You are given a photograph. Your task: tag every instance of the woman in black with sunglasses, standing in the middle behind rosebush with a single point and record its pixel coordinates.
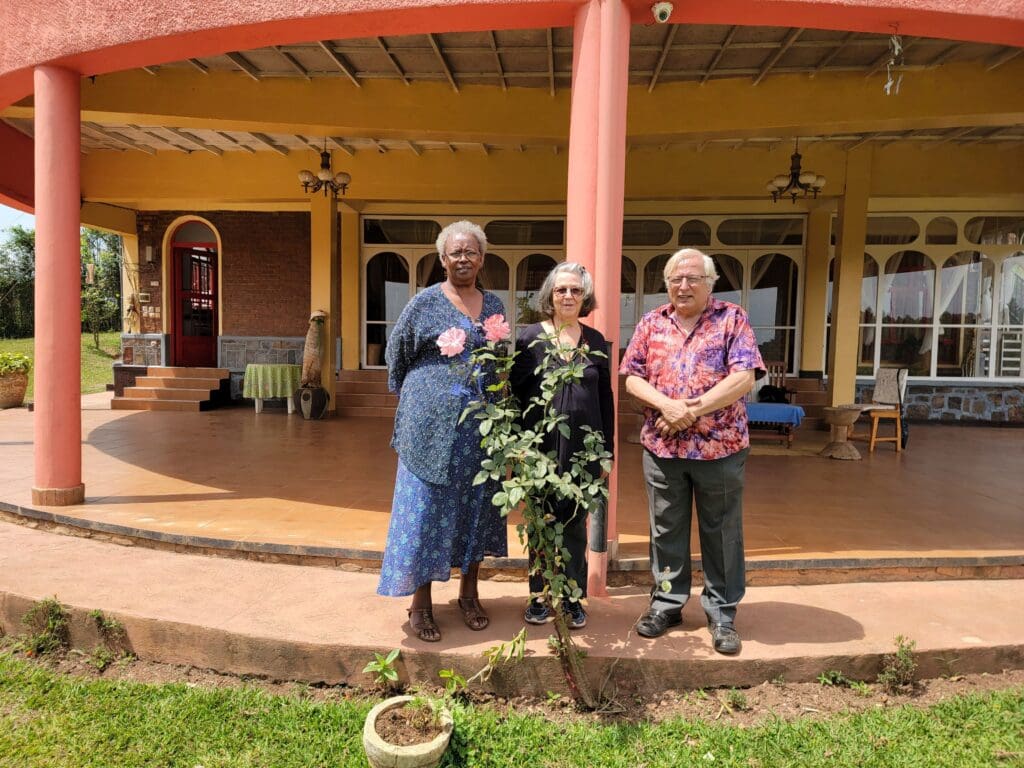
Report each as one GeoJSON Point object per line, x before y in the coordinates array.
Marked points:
{"type": "Point", "coordinates": [568, 295]}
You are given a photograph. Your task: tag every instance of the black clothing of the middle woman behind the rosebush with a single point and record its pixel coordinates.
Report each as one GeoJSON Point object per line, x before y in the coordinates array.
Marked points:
{"type": "Point", "coordinates": [588, 402]}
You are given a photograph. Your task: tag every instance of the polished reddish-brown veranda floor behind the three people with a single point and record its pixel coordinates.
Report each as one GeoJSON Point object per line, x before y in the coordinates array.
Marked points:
{"type": "Point", "coordinates": [234, 476]}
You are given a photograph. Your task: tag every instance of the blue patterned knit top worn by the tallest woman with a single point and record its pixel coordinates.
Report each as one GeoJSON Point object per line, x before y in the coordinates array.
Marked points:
{"type": "Point", "coordinates": [432, 391]}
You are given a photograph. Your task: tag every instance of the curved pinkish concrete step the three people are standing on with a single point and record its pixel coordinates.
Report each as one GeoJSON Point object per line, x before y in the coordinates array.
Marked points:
{"type": "Point", "coordinates": [316, 624]}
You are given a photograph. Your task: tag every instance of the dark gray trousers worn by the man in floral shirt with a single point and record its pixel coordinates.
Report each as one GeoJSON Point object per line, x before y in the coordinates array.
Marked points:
{"type": "Point", "coordinates": [717, 487]}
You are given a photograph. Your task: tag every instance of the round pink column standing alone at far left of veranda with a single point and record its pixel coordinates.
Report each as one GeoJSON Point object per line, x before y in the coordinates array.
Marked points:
{"type": "Point", "coordinates": [59, 351]}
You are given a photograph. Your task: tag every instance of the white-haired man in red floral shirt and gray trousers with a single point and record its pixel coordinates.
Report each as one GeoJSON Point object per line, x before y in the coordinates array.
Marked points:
{"type": "Point", "coordinates": [691, 363]}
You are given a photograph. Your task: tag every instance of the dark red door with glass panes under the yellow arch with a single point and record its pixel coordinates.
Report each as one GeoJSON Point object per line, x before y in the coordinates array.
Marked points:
{"type": "Point", "coordinates": [195, 280]}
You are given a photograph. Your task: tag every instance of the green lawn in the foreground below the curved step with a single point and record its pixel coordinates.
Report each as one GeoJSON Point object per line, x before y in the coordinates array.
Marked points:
{"type": "Point", "coordinates": [53, 720]}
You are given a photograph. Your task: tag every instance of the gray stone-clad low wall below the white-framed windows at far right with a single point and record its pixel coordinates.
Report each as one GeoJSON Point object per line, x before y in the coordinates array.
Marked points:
{"type": "Point", "coordinates": [961, 403]}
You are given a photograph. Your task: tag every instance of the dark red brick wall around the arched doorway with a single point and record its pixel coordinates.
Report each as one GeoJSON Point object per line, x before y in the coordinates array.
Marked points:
{"type": "Point", "coordinates": [266, 264]}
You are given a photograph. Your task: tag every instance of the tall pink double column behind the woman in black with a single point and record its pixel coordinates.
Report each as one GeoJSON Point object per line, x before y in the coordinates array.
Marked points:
{"type": "Point", "coordinates": [596, 185]}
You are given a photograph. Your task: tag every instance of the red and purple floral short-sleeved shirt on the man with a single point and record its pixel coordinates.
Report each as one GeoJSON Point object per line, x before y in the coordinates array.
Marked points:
{"type": "Point", "coordinates": [680, 366]}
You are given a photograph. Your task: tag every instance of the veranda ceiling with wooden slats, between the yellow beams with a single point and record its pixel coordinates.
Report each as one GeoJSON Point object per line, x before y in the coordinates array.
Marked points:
{"type": "Point", "coordinates": [660, 56]}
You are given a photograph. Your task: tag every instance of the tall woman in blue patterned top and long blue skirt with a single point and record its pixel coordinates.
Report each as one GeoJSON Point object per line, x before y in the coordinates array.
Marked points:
{"type": "Point", "coordinates": [440, 521]}
